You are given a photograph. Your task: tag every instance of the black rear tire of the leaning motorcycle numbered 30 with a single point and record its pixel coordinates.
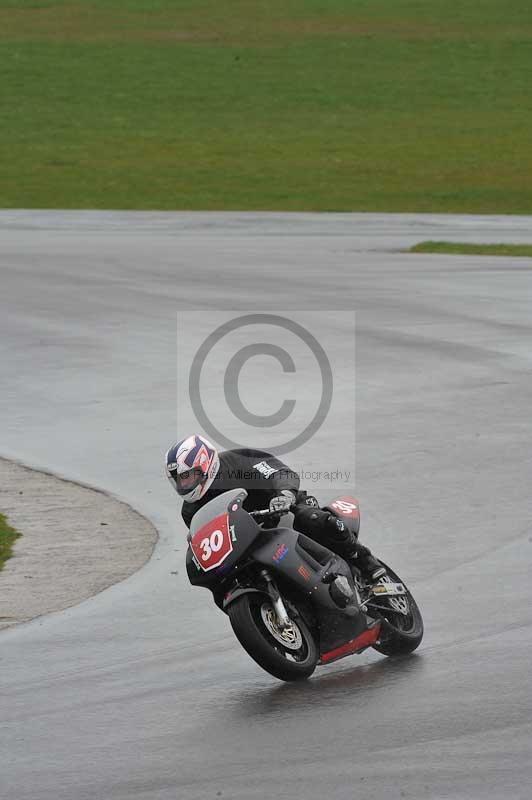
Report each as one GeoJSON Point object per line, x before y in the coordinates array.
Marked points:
{"type": "Point", "coordinates": [400, 634]}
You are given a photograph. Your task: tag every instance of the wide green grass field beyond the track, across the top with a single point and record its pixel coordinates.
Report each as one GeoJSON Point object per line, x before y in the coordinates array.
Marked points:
{"type": "Point", "coordinates": [377, 105]}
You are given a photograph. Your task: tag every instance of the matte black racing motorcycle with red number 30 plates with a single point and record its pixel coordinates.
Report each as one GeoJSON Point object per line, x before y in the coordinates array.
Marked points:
{"type": "Point", "coordinates": [292, 603]}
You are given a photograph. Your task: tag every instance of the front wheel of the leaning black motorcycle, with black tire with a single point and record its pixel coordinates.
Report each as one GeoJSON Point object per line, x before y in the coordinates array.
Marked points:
{"type": "Point", "coordinates": [289, 655]}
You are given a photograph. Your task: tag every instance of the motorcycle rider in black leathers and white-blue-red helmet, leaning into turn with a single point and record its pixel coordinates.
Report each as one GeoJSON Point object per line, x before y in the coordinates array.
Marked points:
{"type": "Point", "coordinates": [199, 473]}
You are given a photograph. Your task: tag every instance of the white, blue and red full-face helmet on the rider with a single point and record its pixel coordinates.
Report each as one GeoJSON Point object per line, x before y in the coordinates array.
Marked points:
{"type": "Point", "coordinates": [191, 466]}
